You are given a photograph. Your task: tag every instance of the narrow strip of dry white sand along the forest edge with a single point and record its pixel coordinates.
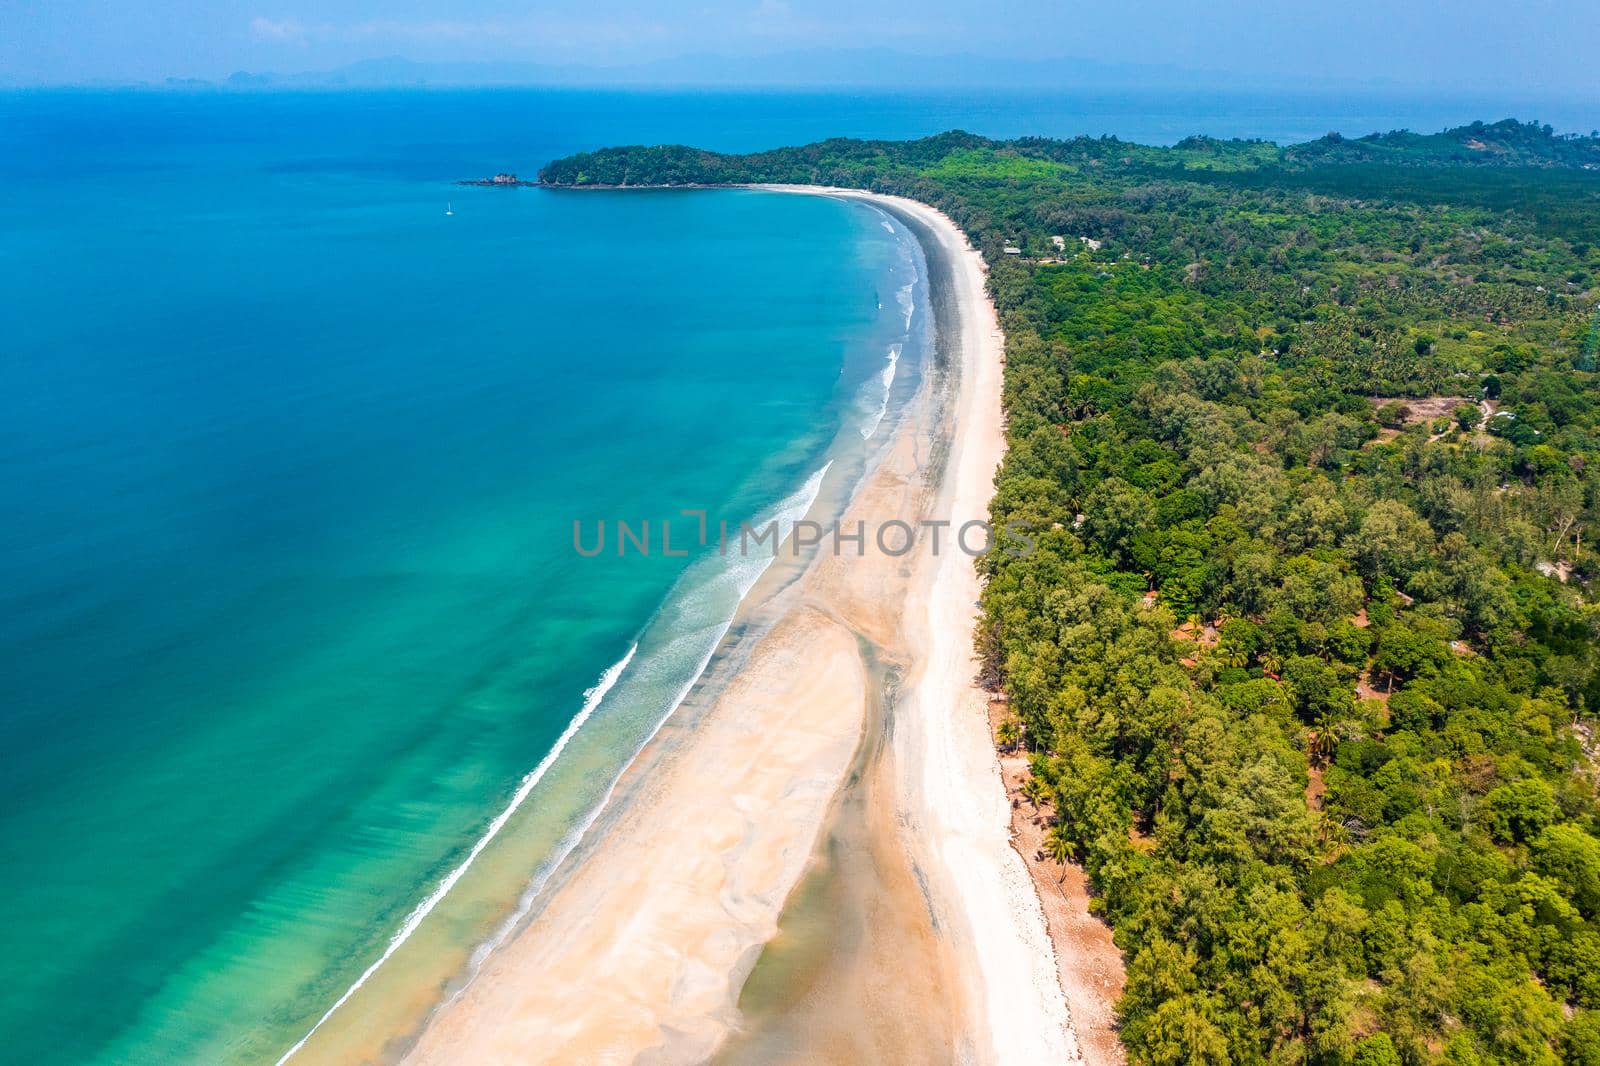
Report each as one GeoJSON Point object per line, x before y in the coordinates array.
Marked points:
{"type": "Point", "coordinates": [948, 766]}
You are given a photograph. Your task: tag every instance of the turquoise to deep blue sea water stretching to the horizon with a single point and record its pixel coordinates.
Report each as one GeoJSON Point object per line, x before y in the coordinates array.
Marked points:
{"type": "Point", "coordinates": [289, 467]}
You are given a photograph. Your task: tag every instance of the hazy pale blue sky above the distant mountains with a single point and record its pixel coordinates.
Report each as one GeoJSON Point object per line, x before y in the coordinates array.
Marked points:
{"type": "Point", "coordinates": [1502, 46]}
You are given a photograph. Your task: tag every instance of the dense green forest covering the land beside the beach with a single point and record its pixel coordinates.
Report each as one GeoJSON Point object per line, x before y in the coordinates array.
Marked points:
{"type": "Point", "coordinates": [1308, 654]}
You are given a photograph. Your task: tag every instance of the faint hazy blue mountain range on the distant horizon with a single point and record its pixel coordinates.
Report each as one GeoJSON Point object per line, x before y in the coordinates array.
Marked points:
{"type": "Point", "coordinates": [823, 68]}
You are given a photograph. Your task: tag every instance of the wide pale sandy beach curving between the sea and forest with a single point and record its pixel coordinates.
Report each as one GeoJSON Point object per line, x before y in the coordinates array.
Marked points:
{"type": "Point", "coordinates": [641, 953]}
